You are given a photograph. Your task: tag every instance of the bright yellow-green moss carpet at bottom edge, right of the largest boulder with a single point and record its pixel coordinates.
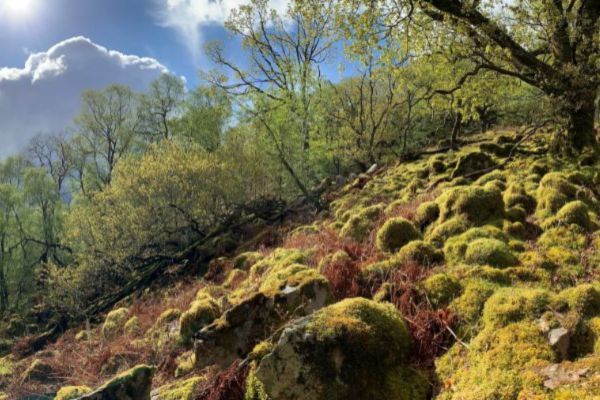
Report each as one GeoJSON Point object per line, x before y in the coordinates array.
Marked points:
{"type": "Point", "coordinates": [497, 364]}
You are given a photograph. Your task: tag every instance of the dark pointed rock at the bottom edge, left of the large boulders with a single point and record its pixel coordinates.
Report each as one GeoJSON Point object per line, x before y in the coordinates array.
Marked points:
{"type": "Point", "coordinates": [134, 384]}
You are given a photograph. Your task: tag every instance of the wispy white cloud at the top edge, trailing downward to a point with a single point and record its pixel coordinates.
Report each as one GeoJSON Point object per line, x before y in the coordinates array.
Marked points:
{"type": "Point", "coordinates": [187, 17]}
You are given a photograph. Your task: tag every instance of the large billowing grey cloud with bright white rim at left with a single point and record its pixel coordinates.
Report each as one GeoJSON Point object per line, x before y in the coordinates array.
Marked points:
{"type": "Point", "coordinates": [43, 96]}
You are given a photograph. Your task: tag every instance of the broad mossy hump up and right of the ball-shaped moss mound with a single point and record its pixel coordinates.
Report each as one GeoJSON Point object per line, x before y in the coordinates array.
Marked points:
{"type": "Point", "coordinates": [476, 204]}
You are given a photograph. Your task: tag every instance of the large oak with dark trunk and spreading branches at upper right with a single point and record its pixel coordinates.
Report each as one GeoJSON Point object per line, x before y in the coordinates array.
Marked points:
{"type": "Point", "coordinates": [550, 44]}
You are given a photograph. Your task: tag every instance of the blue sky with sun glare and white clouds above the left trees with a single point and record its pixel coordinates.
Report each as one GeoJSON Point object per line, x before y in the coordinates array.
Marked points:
{"type": "Point", "coordinates": [52, 50]}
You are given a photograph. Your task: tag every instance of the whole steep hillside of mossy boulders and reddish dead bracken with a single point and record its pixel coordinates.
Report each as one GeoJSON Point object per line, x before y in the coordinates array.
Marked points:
{"type": "Point", "coordinates": [470, 274]}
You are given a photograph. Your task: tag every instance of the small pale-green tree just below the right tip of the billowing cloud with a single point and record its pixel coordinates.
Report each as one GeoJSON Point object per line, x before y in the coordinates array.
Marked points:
{"type": "Point", "coordinates": [160, 105]}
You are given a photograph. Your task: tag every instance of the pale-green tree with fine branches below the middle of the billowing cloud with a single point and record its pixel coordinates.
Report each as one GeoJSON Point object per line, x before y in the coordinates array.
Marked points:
{"type": "Point", "coordinates": [107, 124]}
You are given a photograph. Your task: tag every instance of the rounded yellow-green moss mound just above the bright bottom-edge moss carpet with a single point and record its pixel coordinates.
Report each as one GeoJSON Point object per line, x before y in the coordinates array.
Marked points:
{"type": "Point", "coordinates": [509, 305]}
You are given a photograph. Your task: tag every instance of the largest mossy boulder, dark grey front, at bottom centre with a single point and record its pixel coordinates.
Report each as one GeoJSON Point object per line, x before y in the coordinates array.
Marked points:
{"type": "Point", "coordinates": [356, 348]}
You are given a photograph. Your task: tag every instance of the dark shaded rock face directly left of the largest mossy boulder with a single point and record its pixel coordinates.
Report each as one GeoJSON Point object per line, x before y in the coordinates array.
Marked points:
{"type": "Point", "coordinates": [235, 334]}
